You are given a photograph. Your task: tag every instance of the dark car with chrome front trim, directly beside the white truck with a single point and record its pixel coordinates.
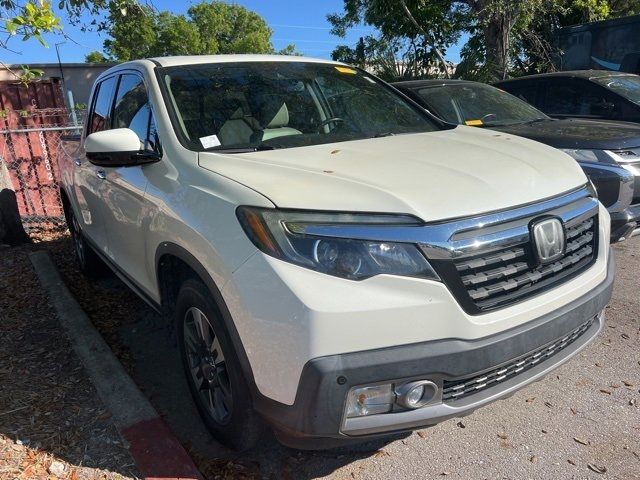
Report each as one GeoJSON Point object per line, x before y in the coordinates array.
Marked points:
{"type": "Point", "coordinates": [598, 146]}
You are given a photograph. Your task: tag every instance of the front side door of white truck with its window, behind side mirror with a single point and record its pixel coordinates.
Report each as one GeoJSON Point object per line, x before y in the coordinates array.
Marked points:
{"type": "Point", "coordinates": [127, 213]}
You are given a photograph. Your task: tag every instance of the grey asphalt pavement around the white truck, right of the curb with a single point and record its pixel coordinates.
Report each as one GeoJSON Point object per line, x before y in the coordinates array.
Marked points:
{"type": "Point", "coordinates": [583, 421]}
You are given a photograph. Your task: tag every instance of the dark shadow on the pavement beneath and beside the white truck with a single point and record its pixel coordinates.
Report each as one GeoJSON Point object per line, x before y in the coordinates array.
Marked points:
{"type": "Point", "coordinates": [147, 348]}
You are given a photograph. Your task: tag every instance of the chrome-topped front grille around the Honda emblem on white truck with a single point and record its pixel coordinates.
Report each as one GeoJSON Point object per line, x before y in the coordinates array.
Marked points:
{"type": "Point", "coordinates": [494, 265]}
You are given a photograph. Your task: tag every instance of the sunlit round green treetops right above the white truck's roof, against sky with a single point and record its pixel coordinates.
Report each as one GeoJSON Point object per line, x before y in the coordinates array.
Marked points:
{"type": "Point", "coordinates": [208, 28]}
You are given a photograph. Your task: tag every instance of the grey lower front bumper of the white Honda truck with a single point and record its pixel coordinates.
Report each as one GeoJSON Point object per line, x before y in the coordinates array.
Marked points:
{"type": "Point", "coordinates": [316, 419]}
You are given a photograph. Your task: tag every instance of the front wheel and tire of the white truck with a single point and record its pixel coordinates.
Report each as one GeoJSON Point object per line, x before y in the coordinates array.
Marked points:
{"type": "Point", "coordinates": [224, 400]}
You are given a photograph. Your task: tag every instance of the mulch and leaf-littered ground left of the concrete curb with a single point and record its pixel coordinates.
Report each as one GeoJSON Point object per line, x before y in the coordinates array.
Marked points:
{"type": "Point", "coordinates": [52, 424]}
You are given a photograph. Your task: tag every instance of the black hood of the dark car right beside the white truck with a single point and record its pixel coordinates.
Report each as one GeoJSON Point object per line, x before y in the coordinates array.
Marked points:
{"type": "Point", "coordinates": [579, 134]}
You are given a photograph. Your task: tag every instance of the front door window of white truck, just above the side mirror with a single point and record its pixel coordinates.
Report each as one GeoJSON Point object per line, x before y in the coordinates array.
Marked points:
{"type": "Point", "coordinates": [132, 110]}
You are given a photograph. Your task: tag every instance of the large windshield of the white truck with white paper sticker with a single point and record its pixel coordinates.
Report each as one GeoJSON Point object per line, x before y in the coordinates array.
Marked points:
{"type": "Point", "coordinates": [263, 105]}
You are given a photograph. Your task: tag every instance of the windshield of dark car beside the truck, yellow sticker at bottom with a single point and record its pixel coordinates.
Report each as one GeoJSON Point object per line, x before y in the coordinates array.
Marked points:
{"type": "Point", "coordinates": [478, 105]}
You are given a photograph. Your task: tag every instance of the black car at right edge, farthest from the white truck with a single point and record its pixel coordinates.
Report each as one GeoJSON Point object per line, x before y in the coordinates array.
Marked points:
{"type": "Point", "coordinates": [591, 94]}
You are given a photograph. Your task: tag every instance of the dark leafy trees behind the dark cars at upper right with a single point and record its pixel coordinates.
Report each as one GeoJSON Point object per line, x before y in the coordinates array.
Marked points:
{"type": "Point", "coordinates": [506, 37]}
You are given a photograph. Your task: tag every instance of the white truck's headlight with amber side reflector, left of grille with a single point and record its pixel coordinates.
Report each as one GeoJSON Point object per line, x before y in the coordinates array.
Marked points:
{"type": "Point", "coordinates": [282, 234]}
